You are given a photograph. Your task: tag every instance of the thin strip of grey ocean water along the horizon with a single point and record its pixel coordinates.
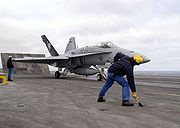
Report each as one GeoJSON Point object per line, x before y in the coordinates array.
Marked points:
{"type": "Point", "coordinates": [158, 73]}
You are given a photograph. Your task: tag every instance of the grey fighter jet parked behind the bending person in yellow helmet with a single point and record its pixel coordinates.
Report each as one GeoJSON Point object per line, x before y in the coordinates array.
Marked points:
{"type": "Point", "coordinates": [81, 61]}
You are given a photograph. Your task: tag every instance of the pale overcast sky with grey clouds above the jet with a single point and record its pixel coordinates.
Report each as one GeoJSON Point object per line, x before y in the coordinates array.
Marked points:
{"type": "Point", "coordinates": [150, 27]}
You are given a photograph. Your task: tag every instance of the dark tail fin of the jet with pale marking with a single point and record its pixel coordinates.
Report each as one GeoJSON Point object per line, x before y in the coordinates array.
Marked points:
{"type": "Point", "coordinates": [51, 49]}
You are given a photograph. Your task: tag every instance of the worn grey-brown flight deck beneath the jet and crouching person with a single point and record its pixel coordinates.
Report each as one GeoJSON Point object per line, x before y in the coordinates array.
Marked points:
{"type": "Point", "coordinates": [71, 102]}
